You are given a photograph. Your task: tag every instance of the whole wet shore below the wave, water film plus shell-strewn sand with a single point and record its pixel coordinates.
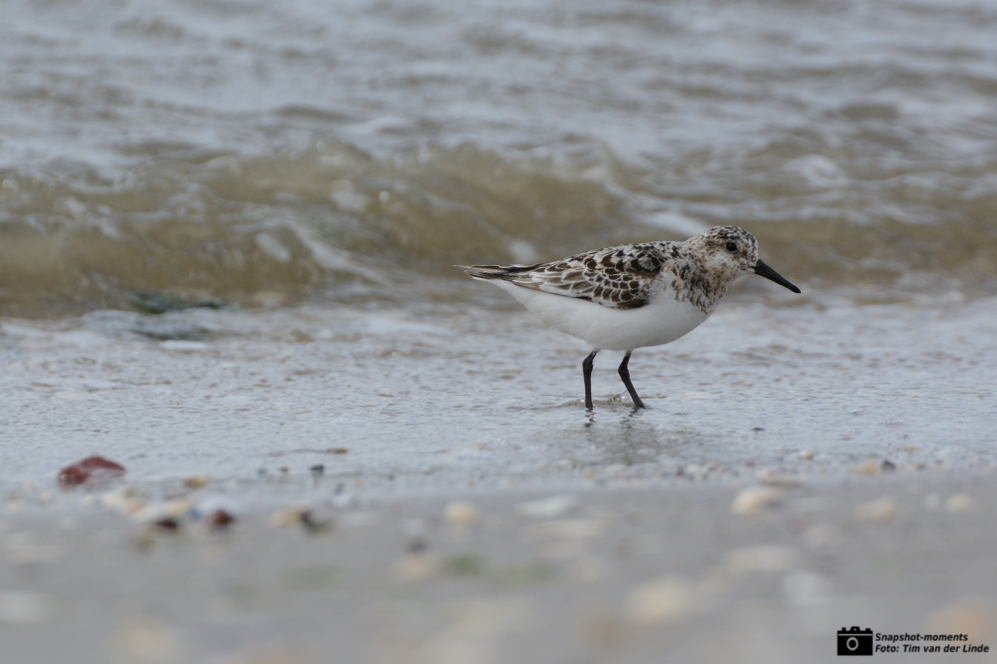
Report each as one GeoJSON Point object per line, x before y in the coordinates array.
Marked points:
{"type": "Point", "coordinates": [861, 436]}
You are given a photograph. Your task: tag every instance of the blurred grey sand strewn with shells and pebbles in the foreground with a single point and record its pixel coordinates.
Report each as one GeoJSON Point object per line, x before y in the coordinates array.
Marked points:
{"type": "Point", "coordinates": [677, 571]}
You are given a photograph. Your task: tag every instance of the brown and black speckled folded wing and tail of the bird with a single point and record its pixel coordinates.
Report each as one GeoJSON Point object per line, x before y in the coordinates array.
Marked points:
{"type": "Point", "coordinates": [616, 277]}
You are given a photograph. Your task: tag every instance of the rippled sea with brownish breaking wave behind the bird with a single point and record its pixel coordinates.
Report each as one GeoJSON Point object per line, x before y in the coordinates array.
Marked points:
{"type": "Point", "coordinates": [263, 152]}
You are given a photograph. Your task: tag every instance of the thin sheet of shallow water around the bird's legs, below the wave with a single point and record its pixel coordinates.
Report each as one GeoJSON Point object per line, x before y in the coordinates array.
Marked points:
{"type": "Point", "coordinates": [447, 399]}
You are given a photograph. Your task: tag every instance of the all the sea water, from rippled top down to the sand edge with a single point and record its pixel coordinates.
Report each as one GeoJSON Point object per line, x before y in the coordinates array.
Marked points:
{"type": "Point", "coordinates": [227, 232]}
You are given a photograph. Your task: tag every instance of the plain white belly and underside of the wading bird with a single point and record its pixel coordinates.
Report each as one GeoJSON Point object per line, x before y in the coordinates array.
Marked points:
{"type": "Point", "coordinates": [663, 320]}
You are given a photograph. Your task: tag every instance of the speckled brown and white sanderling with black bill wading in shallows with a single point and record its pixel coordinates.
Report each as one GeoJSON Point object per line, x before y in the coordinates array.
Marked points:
{"type": "Point", "coordinates": [633, 295]}
